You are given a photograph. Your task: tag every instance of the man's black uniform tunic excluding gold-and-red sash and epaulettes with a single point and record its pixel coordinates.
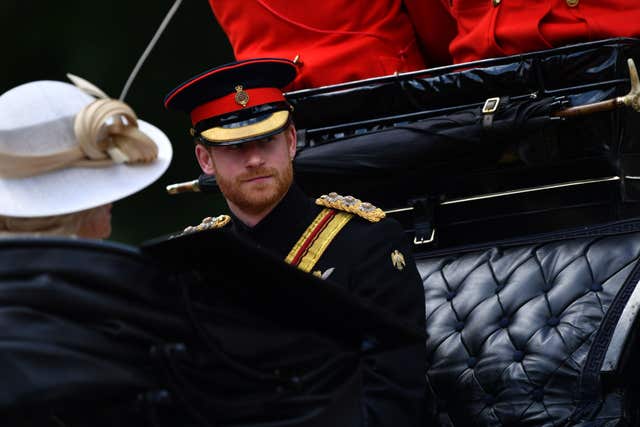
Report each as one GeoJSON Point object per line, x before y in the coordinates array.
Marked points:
{"type": "Point", "coordinates": [372, 261]}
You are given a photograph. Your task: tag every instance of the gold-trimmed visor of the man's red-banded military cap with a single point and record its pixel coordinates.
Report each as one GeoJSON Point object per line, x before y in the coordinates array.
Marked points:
{"type": "Point", "coordinates": [274, 123]}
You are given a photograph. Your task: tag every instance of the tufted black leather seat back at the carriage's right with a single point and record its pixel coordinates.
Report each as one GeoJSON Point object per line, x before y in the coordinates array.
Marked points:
{"type": "Point", "coordinates": [517, 332]}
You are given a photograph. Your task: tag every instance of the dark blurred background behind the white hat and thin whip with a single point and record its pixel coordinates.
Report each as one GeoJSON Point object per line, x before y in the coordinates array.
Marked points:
{"type": "Point", "coordinates": [101, 42]}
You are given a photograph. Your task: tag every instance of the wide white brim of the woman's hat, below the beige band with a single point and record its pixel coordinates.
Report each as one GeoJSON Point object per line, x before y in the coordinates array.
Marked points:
{"type": "Point", "coordinates": [78, 188]}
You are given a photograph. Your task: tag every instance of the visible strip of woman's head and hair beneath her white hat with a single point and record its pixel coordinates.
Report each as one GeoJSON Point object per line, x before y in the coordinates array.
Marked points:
{"type": "Point", "coordinates": [57, 225]}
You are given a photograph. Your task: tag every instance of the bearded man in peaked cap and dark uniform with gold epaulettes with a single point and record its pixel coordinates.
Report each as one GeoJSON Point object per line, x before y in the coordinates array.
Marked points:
{"type": "Point", "coordinates": [246, 138]}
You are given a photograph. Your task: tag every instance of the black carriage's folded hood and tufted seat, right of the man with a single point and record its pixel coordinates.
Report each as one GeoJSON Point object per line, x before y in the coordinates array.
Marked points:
{"type": "Point", "coordinates": [523, 211]}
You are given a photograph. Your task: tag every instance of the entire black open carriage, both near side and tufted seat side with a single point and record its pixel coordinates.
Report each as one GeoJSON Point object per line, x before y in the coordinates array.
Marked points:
{"type": "Point", "coordinates": [521, 198]}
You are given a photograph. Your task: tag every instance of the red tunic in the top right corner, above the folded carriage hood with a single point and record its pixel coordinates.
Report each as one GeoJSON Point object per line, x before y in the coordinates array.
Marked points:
{"type": "Point", "coordinates": [494, 28]}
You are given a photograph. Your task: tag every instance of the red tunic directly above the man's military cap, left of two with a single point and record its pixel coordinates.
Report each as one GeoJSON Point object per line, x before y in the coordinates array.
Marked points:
{"type": "Point", "coordinates": [336, 40]}
